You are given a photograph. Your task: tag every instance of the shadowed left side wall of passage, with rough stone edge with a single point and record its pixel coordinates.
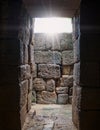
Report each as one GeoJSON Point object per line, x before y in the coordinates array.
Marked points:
{"type": "Point", "coordinates": [15, 64]}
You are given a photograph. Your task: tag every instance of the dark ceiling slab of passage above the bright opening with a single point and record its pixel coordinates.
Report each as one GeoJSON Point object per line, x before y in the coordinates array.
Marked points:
{"type": "Point", "coordinates": [45, 8]}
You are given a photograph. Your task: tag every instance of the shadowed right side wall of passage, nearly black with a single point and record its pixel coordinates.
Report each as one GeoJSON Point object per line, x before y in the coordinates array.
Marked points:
{"type": "Point", "coordinates": [86, 91]}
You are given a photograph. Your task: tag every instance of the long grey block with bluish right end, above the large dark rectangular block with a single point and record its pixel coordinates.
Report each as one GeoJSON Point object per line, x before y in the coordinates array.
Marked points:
{"type": "Point", "coordinates": [50, 57]}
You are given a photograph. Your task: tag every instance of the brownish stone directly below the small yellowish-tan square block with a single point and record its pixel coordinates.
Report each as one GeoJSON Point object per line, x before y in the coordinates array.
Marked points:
{"type": "Point", "coordinates": [66, 81]}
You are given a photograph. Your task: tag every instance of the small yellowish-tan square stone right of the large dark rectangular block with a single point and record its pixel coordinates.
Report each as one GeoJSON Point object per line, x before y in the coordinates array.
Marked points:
{"type": "Point", "coordinates": [67, 70]}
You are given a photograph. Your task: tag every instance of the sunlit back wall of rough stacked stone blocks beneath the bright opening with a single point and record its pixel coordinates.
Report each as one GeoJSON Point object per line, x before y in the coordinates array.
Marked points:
{"type": "Point", "coordinates": [53, 79]}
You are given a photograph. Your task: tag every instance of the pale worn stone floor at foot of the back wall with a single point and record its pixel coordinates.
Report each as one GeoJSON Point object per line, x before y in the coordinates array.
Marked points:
{"type": "Point", "coordinates": [49, 117]}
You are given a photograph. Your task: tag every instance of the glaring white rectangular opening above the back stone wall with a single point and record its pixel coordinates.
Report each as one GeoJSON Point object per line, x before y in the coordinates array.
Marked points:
{"type": "Point", "coordinates": [52, 25]}
